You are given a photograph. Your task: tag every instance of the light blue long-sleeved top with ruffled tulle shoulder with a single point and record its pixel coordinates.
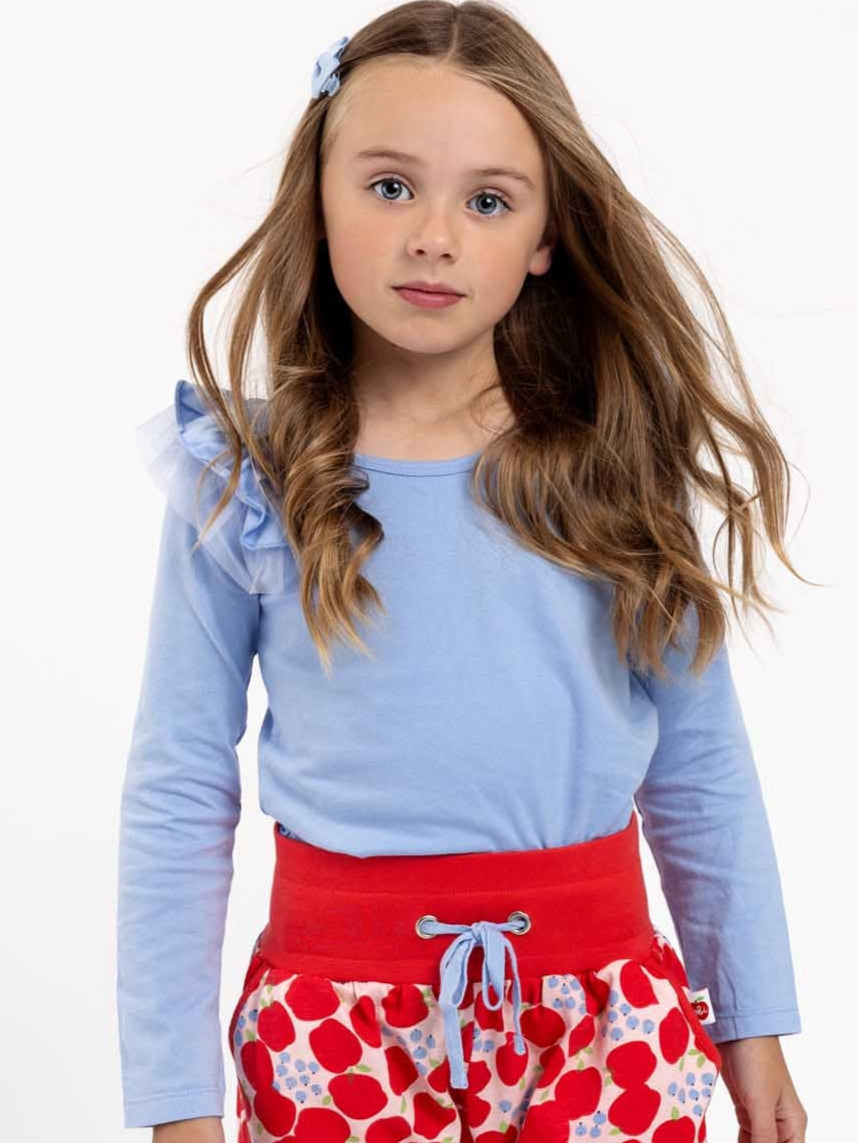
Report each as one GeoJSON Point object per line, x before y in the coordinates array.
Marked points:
{"type": "Point", "coordinates": [496, 715]}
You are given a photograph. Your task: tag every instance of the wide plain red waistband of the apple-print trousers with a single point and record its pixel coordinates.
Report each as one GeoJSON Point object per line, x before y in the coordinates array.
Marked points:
{"type": "Point", "coordinates": [354, 918]}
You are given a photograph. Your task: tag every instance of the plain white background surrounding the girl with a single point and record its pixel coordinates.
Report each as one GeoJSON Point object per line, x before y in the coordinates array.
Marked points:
{"type": "Point", "coordinates": [142, 145]}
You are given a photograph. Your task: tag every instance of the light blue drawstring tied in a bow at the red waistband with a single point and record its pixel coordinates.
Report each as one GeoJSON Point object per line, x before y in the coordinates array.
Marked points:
{"type": "Point", "coordinates": [454, 981]}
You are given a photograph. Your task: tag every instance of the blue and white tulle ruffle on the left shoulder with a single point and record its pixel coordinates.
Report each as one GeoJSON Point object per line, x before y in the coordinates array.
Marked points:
{"type": "Point", "coordinates": [247, 540]}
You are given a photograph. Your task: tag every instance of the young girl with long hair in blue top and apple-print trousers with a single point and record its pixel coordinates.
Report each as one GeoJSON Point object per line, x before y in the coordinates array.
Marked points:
{"type": "Point", "coordinates": [486, 404]}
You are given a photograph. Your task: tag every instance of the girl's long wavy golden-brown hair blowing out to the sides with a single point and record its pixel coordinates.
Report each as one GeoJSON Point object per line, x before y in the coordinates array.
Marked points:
{"type": "Point", "coordinates": [602, 359]}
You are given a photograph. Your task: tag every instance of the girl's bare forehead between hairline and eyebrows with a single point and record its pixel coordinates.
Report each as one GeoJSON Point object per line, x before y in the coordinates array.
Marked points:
{"type": "Point", "coordinates": [431, 111]}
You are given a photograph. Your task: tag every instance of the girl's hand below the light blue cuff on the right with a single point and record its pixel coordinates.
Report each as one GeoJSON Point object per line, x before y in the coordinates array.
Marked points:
{"type": "Point", "coordinates": [757, 1077]}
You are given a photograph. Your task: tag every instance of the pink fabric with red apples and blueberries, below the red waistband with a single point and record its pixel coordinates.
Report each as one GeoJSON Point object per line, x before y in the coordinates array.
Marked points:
{"type": "Point", "coordinates": [615, 1054]}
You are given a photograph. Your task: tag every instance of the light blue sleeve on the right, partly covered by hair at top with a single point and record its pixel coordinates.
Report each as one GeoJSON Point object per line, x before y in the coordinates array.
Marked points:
{"type": "Point", "coordinates": [704, 819]}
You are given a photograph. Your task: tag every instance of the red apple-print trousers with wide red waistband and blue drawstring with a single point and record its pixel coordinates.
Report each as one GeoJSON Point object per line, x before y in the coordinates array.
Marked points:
{"type": "Point", "coordinates": [364, 1016]}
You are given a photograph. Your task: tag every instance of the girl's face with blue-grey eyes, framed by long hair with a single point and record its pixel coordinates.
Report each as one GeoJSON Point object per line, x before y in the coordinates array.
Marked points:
{"type": "Point", "coordinates": [439, 210]}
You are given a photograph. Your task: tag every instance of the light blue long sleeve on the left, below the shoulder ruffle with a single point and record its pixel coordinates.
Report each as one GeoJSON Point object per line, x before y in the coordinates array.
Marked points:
{"type": "Point", "coordinates": [181, 804]}
